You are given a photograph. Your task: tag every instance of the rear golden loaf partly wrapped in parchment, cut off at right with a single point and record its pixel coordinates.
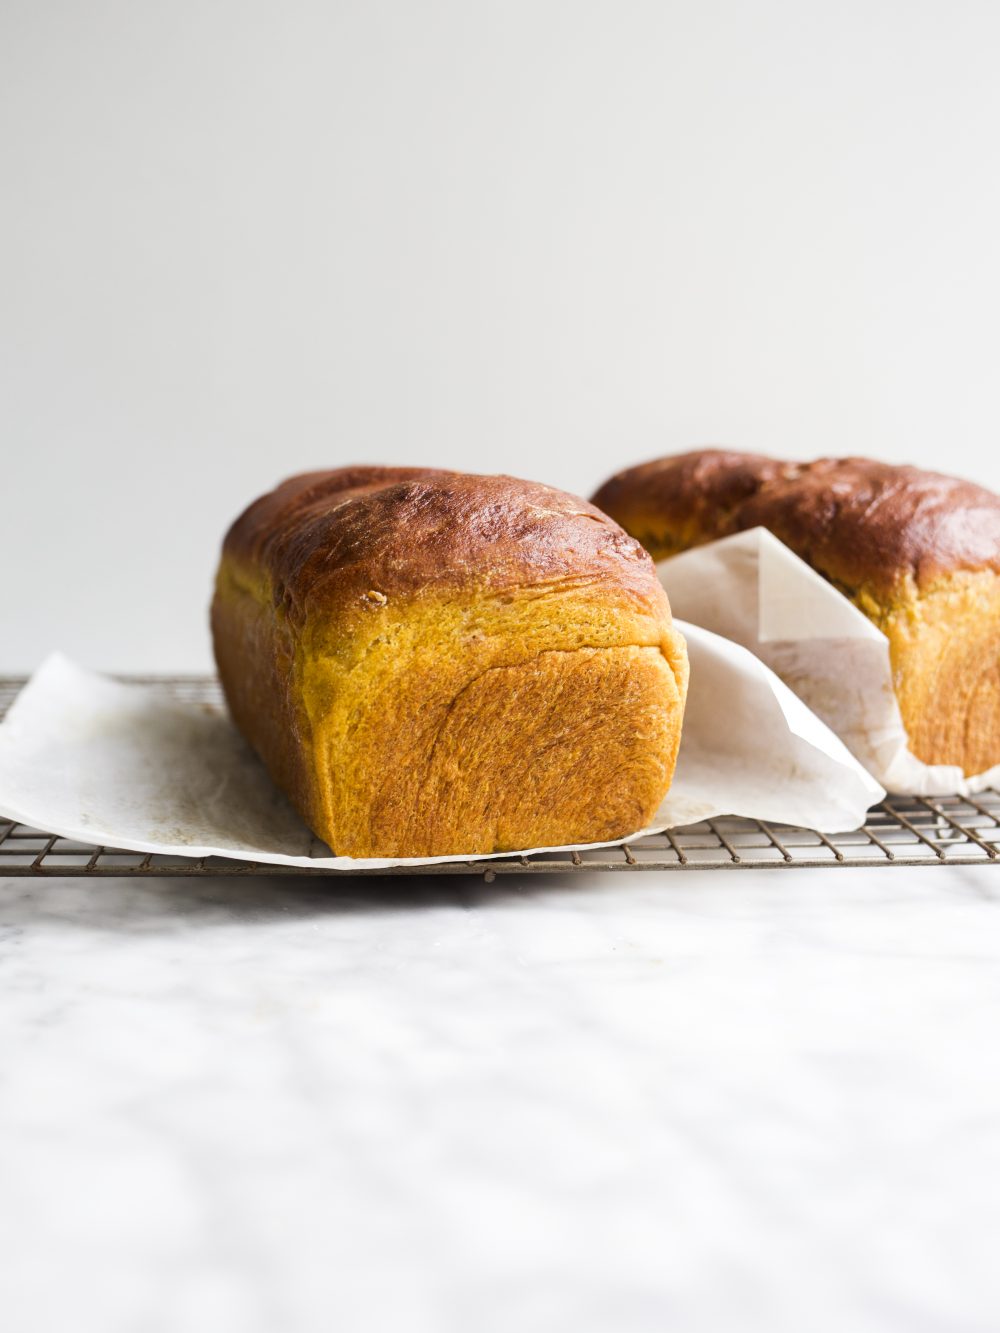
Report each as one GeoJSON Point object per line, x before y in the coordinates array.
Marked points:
{"type": "Point", "coordinates": [918, 553]}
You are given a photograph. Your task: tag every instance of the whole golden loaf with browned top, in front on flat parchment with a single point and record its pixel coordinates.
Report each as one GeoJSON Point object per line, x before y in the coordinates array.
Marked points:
{"type": "Point", "coordinates": [434, 663]}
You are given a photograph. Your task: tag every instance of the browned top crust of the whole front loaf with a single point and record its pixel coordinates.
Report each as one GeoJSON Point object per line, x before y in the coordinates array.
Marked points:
{"type": "Point", "coordinates": [403, 531]}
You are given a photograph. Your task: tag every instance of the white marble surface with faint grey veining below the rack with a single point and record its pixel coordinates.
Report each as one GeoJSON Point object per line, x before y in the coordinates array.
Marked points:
{"type": "Point", "coordinates": [625, 1103]}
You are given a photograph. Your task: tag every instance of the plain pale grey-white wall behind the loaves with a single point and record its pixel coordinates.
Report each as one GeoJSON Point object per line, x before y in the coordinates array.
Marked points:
{"type": "Point", "coordinates": [245, 239]}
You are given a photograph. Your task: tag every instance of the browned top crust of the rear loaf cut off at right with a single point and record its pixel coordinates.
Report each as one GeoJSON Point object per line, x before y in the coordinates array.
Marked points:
{"type": "Point", "coordinates": [858, 522]}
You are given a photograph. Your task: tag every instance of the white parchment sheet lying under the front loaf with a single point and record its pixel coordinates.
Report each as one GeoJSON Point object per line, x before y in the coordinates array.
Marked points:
{"type": "Point", "coordinates": [122, 766]}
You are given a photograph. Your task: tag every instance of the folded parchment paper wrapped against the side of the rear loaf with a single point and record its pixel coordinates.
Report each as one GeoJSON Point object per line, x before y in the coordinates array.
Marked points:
{"type": "Point", "coordinates": [753, 590]}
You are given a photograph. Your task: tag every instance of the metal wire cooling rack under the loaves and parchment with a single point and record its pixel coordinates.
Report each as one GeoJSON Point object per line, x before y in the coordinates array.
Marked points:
{"type": "Point", "coordinates": [901, 831]}
